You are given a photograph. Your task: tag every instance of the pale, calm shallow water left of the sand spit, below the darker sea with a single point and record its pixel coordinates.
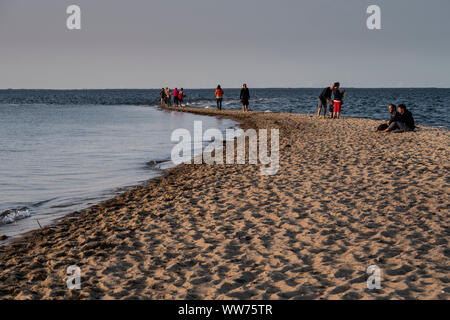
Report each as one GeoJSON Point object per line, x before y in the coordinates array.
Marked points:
{"type": "Point", "coordinates": [56, 159]}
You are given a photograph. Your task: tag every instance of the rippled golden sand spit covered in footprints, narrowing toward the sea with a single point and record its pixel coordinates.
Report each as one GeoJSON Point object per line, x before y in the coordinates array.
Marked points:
{"type": "Point", "coordinates": [344, 198]}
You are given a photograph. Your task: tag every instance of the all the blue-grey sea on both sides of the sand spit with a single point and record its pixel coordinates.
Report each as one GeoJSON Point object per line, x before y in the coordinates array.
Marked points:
{"type": "Point", "coordinates": [61, 151]}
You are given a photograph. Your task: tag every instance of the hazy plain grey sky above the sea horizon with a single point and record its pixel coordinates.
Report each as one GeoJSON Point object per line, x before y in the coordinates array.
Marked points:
{"type": "Point", "coordinates": [200, 43]}
